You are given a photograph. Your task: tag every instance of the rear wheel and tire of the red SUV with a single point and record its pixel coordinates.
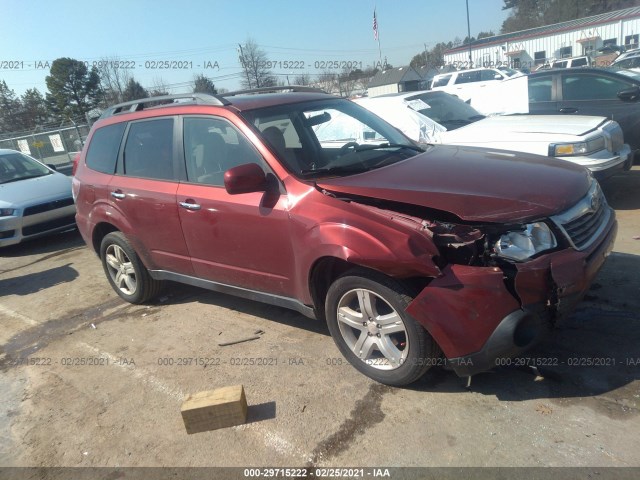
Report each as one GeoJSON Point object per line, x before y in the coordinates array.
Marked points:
{"type": "Point", "coordinates": [125, 271]}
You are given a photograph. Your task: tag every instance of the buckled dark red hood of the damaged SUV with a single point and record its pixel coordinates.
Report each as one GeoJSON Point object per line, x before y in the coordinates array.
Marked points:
{"type": "Point", "coordinates": [475, 184]}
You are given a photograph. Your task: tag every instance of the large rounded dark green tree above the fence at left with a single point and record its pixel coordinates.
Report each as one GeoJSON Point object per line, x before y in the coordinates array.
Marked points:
{"type": "Point", "coordinates": [73, 88]}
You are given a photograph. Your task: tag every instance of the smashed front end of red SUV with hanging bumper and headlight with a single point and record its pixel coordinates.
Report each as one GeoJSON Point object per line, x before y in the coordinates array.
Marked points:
{"type": "Point", "coordinates": [502, 286]}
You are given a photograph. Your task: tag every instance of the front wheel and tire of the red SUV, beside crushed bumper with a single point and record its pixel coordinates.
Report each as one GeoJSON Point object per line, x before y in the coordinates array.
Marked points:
{"type": "Point", "coordinates": [367, 320]}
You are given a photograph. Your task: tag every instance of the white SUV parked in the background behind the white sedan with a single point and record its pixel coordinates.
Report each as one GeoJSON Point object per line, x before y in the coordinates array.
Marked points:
{"type": "Point", "coordinates": [465, 83]}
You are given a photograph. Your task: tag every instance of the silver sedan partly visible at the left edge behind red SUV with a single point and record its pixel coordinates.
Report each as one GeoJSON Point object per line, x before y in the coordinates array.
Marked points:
{"type": "Point", "coordinates": [35, 200]}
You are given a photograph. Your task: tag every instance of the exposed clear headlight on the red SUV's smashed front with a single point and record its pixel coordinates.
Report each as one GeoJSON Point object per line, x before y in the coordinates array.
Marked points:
{"type": "Point", "coordinates": [523, 244]}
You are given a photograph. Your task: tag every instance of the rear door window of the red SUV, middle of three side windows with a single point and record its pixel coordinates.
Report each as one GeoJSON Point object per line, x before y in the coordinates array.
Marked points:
{"type": "Point", "coordinates": [148, 152]}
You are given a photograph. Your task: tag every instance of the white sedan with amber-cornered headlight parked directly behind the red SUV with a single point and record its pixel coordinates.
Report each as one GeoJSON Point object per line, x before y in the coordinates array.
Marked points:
{"type": "Point", "coordinates": [593, 142]}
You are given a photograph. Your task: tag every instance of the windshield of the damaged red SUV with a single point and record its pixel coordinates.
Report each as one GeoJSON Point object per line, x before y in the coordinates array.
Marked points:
{"type": "Point", "coordinates": [330, 138]}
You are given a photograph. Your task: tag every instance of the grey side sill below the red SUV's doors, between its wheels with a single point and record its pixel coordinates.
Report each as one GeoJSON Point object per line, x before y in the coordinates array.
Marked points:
{"type": "Point", "coordinates": [285, 302]}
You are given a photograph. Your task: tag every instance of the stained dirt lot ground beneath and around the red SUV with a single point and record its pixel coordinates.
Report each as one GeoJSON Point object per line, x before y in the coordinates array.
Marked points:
{"type": "Point", "coordinates": [307, 406]}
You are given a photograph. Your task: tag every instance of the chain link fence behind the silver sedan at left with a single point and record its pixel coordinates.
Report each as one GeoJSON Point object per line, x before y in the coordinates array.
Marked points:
{"type": "Point", "coordinates": [55, 146]}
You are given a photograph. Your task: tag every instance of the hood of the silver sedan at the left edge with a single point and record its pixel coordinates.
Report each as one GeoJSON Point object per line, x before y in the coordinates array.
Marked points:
{"type": "Point", "coordinates": [31, 190]}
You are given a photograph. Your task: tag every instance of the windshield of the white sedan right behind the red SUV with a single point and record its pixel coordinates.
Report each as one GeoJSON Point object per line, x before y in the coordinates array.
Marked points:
{"type": "Point", "coordinates": [443, 108]}
